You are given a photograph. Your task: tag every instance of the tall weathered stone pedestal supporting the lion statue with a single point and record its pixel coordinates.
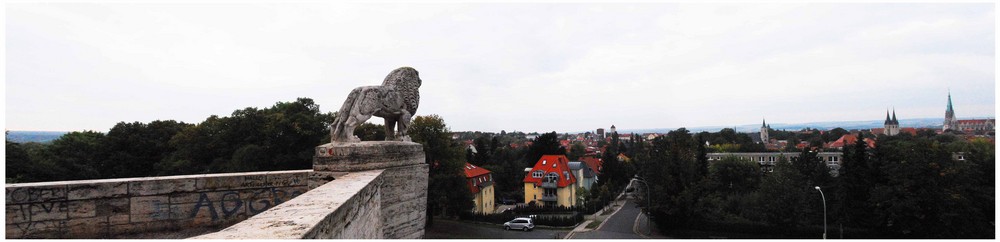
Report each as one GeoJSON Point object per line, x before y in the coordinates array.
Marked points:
{"type": "Point", "coordinates": [404, 187]}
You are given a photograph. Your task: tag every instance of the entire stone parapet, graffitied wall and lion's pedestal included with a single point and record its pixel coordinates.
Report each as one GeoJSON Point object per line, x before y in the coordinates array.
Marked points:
{"type": "Point", "coordinates": [366, 190]}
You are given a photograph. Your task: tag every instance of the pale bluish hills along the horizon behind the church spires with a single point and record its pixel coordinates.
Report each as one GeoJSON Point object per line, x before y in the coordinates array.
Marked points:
{"type": "Point", "coordinates": [848, 125]}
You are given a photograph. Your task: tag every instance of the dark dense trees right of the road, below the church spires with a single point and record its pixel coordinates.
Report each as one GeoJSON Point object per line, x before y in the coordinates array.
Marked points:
{"type": "Point", "coordinates": [905, 187]}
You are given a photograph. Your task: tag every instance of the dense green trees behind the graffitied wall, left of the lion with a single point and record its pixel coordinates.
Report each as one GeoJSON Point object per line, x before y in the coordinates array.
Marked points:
{"type": "Point", "coordinates": [280, 137]}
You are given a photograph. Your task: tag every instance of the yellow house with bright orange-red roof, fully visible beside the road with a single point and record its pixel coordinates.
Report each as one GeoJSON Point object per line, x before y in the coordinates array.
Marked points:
{"type": "Point", "coordinates": [550, 182]}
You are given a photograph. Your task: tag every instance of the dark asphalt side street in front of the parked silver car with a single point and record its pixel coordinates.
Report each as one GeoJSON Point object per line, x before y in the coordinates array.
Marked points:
{"type": "Point", "coordinates": [449, 229]}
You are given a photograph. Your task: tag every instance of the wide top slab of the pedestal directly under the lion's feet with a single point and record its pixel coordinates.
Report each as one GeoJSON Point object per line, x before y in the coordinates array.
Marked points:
{"type": "Point", "coordinates": [368, 155]}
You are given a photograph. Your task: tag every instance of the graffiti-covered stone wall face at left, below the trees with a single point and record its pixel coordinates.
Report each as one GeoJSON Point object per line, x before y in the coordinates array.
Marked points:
{"type": "Point", "coordinates": [110, 207]}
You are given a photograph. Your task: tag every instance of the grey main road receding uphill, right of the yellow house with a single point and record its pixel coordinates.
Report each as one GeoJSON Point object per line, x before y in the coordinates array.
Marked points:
{"type": "Point", "coordinates": [618, 226]}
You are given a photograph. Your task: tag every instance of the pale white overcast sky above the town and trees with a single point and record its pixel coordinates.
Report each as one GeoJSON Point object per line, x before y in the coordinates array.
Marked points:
{"type": "Point", "coordinates": [529, 67]}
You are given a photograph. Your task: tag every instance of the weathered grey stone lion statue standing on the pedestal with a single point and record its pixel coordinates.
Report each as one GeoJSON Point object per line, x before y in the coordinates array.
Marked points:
{"type": "Point", "coordinates": [396, 101]}
